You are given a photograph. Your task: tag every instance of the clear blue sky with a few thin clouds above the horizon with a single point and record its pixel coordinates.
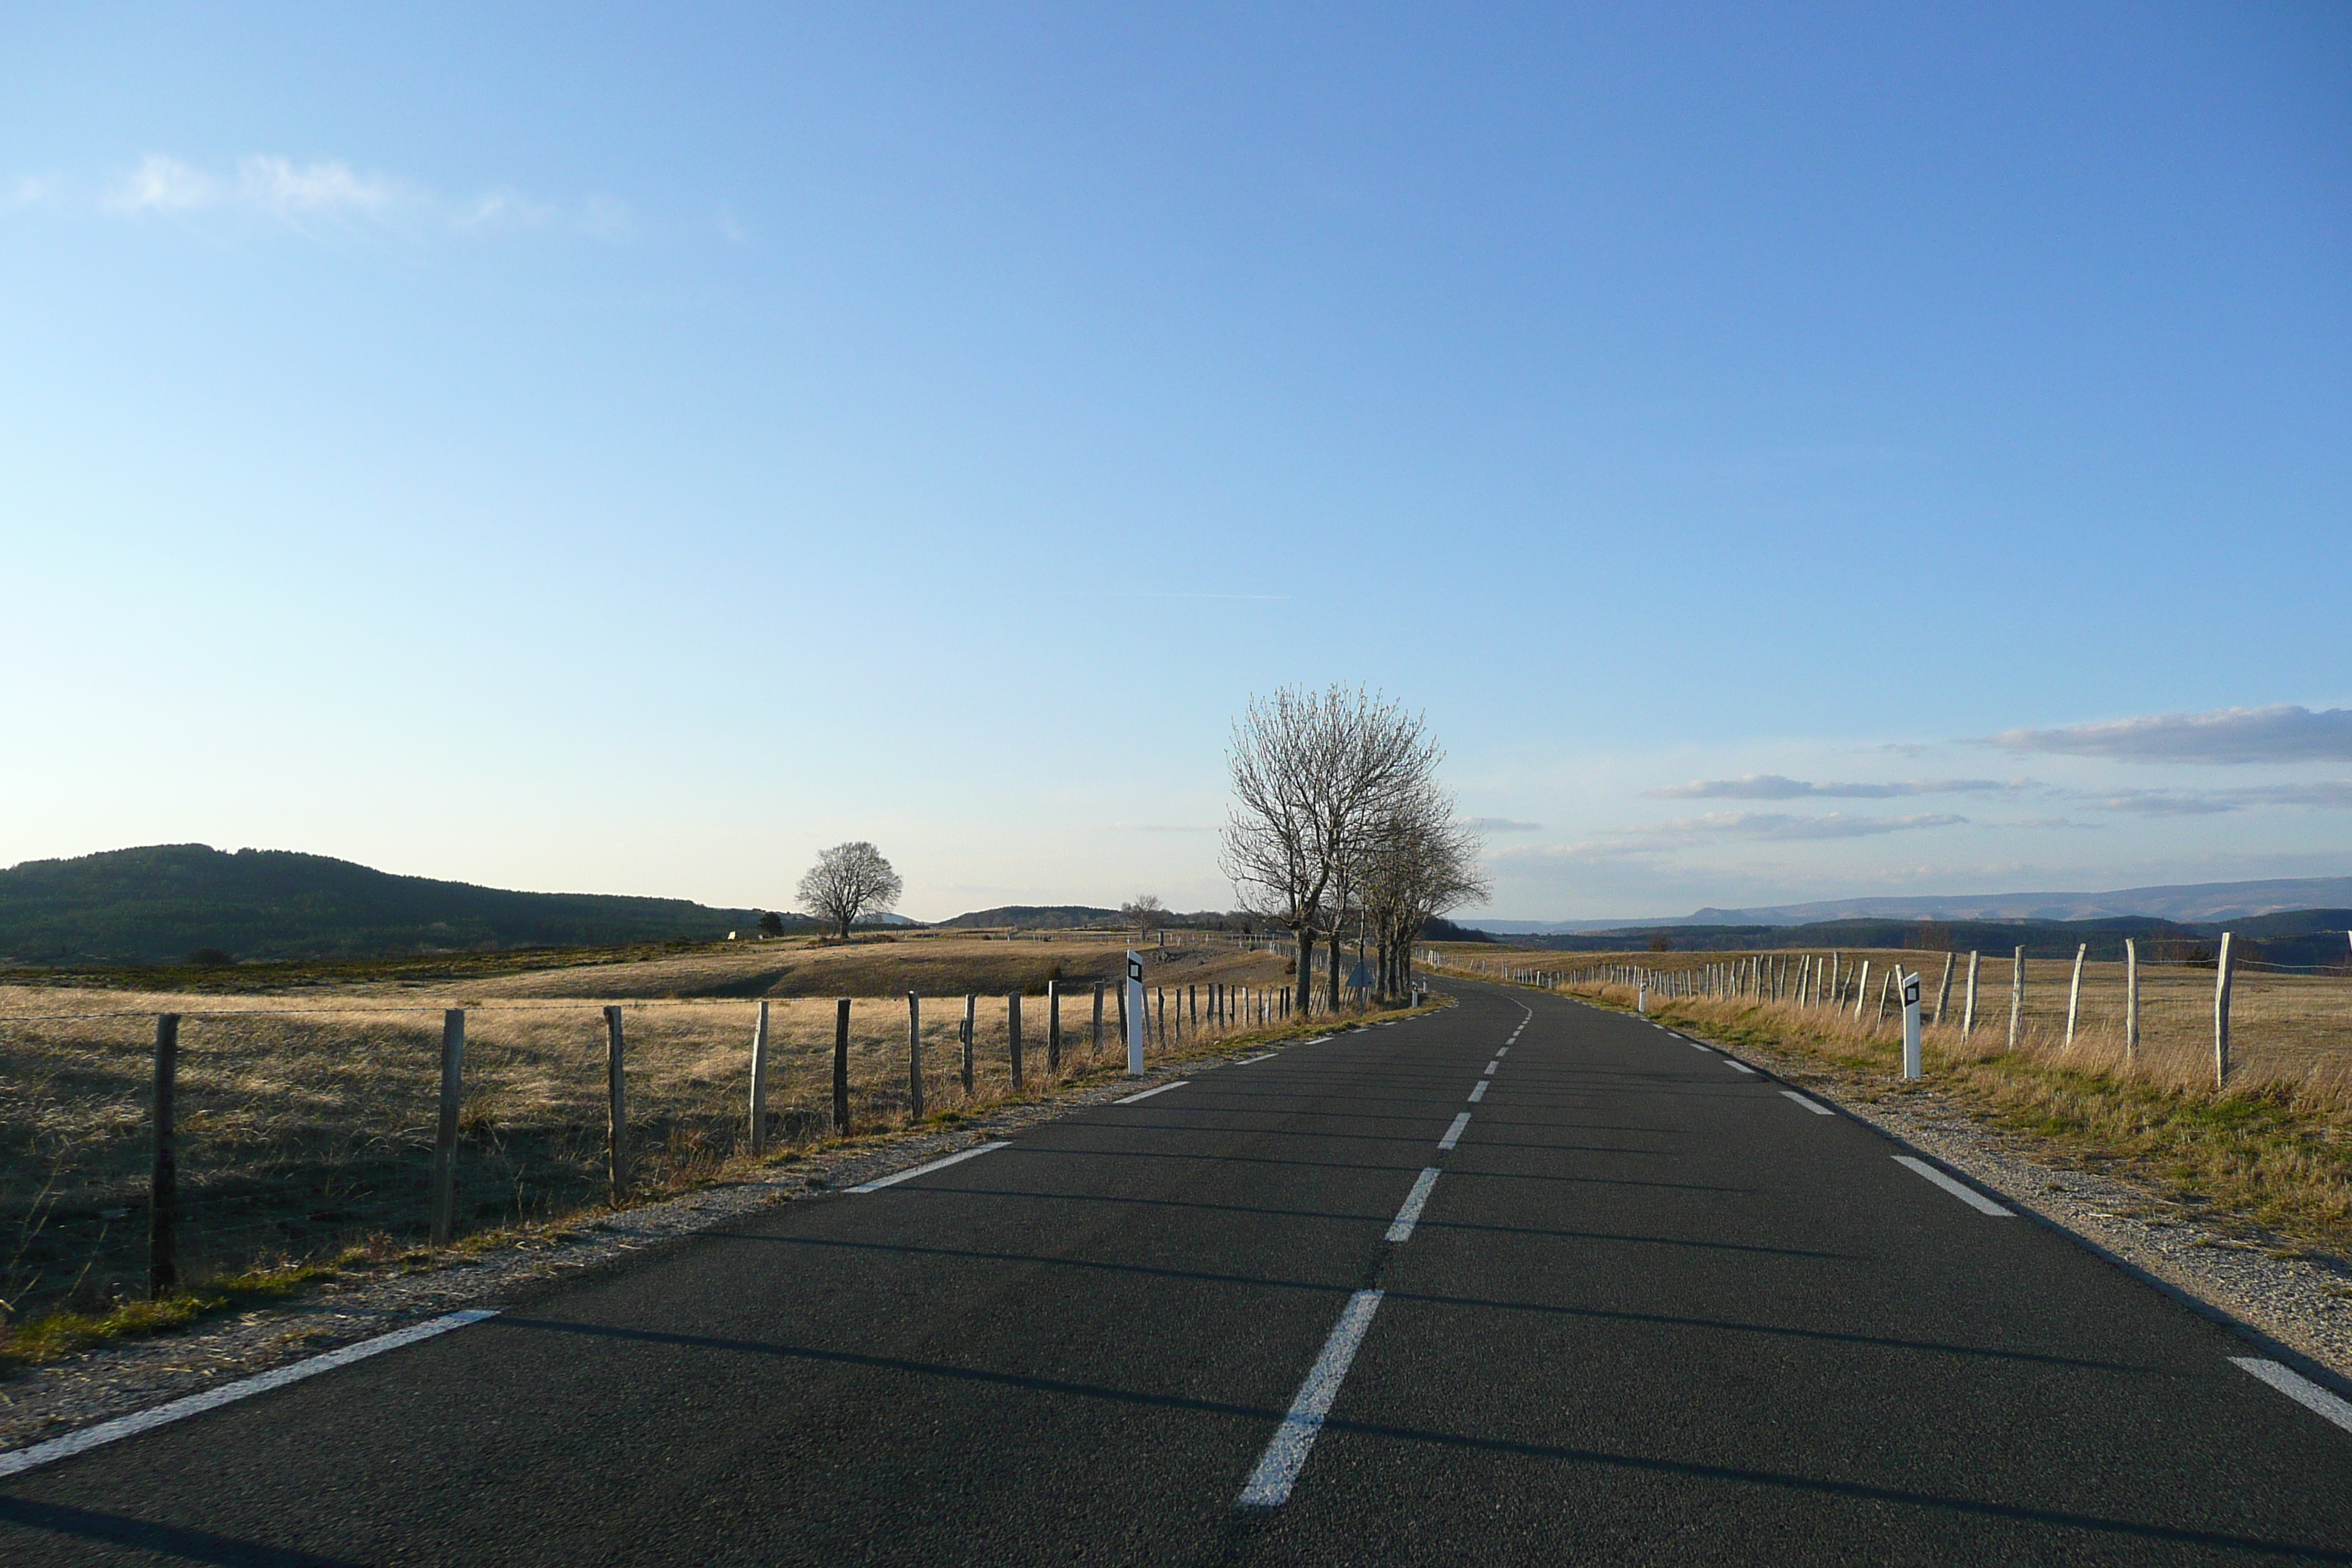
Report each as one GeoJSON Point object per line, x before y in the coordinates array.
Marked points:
{"type": "Point", "coordinates": [627, 453]}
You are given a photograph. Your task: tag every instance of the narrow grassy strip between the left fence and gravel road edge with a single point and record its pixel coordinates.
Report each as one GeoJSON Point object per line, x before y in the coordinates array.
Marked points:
{"type": "Point", "coordinates": [62, 1334]}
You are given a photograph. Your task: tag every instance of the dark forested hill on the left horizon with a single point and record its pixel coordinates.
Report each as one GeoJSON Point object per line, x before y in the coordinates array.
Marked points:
{"type": "Point", "coordinates": [168, 902]}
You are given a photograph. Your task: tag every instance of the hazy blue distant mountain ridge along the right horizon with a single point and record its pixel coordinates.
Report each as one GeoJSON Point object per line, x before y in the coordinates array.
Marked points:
{"type": "Point", "coordinates": [2198, 902]}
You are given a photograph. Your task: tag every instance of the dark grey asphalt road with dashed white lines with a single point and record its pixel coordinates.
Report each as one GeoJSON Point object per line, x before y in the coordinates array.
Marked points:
{"type": "Point", "coordinates": [1652, 1311]}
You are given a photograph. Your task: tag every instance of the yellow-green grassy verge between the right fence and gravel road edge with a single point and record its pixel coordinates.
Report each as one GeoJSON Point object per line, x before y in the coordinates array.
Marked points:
{"type": "Point", "coordinates": [2257, 1160]}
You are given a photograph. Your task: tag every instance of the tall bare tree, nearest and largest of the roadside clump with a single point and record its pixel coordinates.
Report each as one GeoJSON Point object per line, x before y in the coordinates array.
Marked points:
{"type": "Point", "coordinates": [1311, 772]}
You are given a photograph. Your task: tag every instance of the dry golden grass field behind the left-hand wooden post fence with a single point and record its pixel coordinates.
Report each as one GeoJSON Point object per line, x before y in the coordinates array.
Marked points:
{"type": "Point", "coordinates": [307, 1120]}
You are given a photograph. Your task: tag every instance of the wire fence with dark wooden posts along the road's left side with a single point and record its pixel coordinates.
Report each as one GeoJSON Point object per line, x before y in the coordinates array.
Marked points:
{"type": "Point", "coordinates": [300, 1134]}
